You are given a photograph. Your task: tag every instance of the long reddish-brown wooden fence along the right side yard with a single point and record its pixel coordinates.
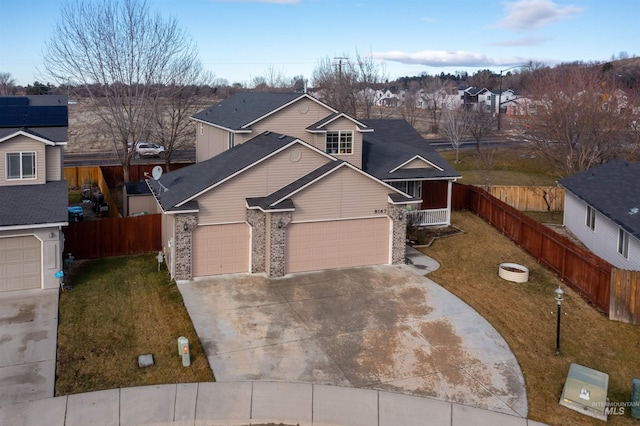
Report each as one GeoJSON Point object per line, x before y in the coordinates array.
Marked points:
{"type": "Point", "coordinates": [579, 268]}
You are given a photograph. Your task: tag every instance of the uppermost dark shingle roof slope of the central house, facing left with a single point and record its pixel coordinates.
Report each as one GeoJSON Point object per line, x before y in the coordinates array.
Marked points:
{"type": "Point", "coordinates": [238, 110]}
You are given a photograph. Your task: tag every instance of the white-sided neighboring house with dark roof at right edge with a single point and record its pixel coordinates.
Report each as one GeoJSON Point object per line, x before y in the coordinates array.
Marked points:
{"type": "Point", "coordinates": [602, 210]}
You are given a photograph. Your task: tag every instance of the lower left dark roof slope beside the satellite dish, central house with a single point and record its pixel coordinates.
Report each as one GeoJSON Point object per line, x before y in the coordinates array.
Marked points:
{"type": "Point", "coordinates": [185, 183]}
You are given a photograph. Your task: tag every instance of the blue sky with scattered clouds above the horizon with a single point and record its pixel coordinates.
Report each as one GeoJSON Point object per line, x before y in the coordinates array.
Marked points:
{"type": "Point", "coordinates": [241, 39]}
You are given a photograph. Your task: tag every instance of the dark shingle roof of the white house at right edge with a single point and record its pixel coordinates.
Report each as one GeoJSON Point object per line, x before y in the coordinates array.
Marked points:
{"type": "Point", "coordinates": [613, 189]}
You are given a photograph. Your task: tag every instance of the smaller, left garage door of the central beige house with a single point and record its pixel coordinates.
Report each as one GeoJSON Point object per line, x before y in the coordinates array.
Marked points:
{"type": "Point", "coordinates": [220, 249]}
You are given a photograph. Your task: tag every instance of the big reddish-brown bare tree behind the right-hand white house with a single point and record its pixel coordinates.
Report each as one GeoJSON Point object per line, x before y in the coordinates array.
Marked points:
{"type": "Point", "coordinates": [579, 118]}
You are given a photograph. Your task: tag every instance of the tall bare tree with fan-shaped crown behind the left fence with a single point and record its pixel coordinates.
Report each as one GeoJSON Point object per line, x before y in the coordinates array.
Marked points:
{"type": "Point", "coordinates": [123, 55]}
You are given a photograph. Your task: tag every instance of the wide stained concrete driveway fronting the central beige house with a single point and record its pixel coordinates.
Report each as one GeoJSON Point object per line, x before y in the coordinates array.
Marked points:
{"type": "Point", "coordinates": [380, 327]}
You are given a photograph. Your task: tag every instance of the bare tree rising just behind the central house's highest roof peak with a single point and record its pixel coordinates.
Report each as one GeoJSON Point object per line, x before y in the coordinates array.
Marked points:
{"type": "Point", "coordinates": [343, 83]}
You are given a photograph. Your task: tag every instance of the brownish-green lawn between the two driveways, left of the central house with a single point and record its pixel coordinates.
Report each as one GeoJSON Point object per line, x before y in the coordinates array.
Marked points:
{"type": "Point", "coordinates": [120, 308]}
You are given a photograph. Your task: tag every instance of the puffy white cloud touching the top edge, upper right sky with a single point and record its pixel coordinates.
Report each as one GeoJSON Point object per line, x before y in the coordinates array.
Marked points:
{"type": "Point", "coordinates": [531, 14]}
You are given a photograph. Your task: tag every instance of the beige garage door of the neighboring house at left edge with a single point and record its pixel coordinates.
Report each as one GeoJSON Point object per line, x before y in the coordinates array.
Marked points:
{"type": "Point", "coordinates": [20, 263]}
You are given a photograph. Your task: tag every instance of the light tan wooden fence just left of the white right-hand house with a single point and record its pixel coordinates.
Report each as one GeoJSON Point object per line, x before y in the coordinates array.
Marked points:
{"type": "Point", "coordinates": [530, 198]}
